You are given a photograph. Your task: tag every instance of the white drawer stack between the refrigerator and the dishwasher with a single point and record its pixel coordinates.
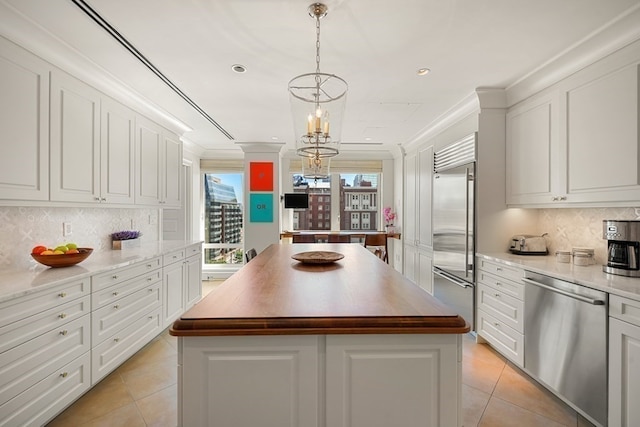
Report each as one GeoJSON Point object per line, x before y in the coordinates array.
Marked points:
{"type": "Point", "coordinates": [500, 308]}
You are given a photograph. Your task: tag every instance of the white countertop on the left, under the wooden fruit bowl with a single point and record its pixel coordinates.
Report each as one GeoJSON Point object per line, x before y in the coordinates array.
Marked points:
{"type": "Point", "coordinates": [15, 283]}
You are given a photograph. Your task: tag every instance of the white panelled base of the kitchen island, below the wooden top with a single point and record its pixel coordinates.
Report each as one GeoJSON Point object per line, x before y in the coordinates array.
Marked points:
{"type": "Point", "coordinates": [320, 380]}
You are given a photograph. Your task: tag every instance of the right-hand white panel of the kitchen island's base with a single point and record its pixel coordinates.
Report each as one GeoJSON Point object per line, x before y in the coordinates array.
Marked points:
{"type": "Point", "coordinates": [393, 380]}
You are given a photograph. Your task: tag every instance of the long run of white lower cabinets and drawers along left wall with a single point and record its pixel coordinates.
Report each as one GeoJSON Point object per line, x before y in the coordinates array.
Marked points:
{"type": "Point", "coordinates": [57, 343]}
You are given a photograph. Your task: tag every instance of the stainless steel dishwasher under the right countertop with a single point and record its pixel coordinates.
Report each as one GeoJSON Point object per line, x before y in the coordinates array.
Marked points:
{"type": "Point", "coordinates": [566, 342]}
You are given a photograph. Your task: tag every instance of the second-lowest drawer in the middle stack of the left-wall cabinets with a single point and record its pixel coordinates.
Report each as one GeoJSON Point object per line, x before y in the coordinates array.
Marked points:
{"type": "Point", "coordinates": [109, 319]}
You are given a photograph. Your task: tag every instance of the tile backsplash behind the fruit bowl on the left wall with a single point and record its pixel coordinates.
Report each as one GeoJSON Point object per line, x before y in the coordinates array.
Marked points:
{"type": "Point", "coordinates": [22, 228]}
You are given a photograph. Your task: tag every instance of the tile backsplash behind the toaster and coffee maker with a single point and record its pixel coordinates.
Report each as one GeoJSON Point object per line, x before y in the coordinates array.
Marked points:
{"type": "Point", "coordinates": [569, 228]}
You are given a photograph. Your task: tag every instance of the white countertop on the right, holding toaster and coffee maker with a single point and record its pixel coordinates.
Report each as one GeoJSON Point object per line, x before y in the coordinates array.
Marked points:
{"type": "Point", "coordinates": [591, 275]}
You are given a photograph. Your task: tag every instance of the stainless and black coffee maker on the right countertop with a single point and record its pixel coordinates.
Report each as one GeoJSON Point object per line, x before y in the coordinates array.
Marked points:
{"type": "Point", "coordinates": [623, 239]}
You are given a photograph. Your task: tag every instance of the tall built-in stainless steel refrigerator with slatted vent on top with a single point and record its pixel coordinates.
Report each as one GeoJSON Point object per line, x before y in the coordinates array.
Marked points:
{"type": "Point", "coordinates": [453, 218]}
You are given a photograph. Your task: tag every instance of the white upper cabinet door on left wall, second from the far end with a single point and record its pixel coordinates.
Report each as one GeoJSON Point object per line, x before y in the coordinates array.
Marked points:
{"type": "Point", "coordinates": [148, 162]}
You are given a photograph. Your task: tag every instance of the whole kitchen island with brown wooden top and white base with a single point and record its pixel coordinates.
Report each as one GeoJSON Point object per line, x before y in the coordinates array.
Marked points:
{"type": "Point", "coordinates": [319, 335]}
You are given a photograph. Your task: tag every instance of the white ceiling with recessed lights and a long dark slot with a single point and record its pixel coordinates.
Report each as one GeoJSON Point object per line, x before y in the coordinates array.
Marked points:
{"type": "Point", "coordinates": [377, 47]}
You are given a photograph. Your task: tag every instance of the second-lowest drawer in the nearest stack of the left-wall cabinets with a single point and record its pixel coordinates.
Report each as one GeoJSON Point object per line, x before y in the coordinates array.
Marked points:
{"type": "Point", "coordinates": [27, 364]}
